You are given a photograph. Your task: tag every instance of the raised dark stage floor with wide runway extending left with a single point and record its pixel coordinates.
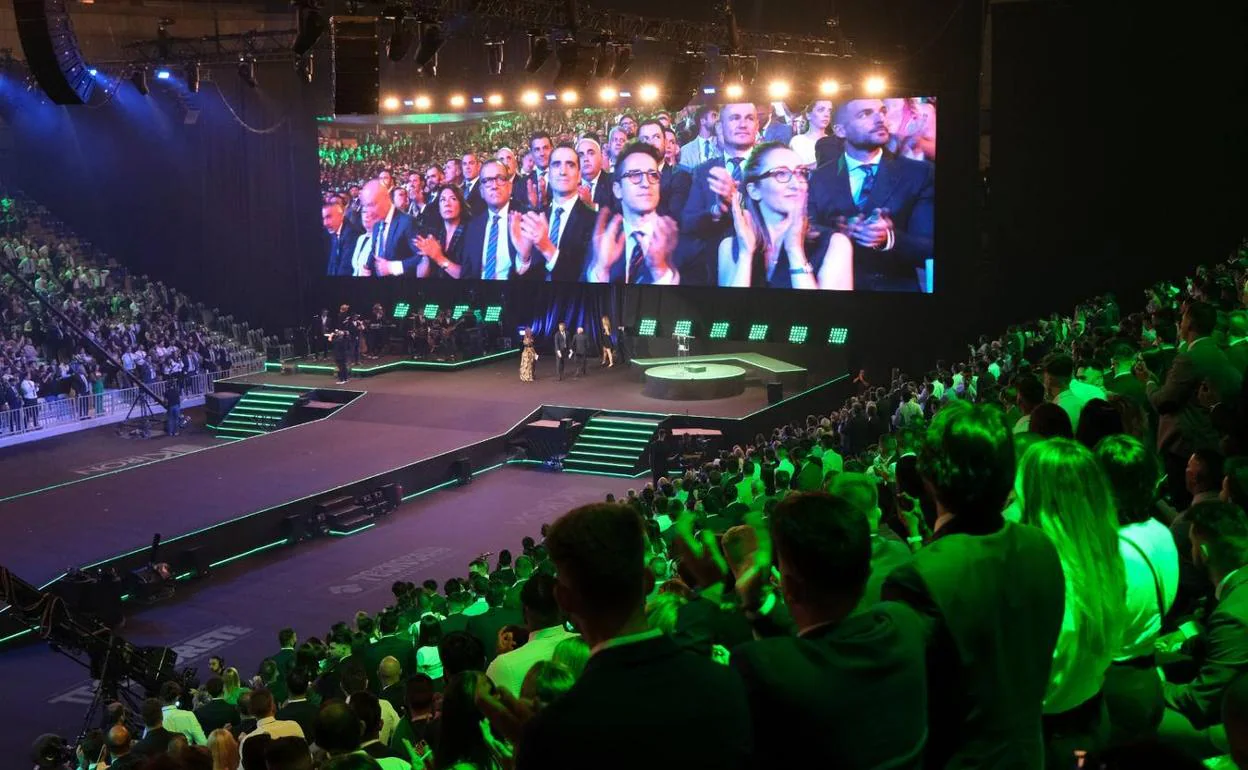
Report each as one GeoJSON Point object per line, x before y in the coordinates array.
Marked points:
{"type": "Point", "coordinates": [402, 419]}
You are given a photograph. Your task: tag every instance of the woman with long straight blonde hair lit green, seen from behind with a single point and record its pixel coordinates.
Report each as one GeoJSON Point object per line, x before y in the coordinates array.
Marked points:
{"type": "Point", "coordinates": [1063, 490]}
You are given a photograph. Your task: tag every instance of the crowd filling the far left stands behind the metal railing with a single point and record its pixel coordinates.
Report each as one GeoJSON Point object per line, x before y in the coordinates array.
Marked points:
{"type": "Point", "coordinates": [154, 333]}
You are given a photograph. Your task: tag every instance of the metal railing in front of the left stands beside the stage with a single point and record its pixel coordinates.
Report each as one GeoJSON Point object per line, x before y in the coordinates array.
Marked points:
{"type": "Point", "coordinates": [114, 404]}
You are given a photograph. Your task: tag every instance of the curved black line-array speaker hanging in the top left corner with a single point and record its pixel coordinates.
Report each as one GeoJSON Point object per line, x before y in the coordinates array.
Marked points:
{"type": "Point", "coordinates": [52, 52]}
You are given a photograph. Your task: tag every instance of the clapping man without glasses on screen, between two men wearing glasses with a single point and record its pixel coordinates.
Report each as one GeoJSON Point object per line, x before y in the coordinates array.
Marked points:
{"type": "Point", "coordinates": [561, 233]}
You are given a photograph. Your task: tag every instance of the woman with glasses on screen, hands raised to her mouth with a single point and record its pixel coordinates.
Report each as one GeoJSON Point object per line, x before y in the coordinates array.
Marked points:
{"type": "Point", "coordinates": [769, 220]}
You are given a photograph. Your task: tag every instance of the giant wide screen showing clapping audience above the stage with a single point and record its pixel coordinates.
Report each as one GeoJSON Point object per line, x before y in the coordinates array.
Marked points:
{"type": "Point", "coordinates": [833, 195]}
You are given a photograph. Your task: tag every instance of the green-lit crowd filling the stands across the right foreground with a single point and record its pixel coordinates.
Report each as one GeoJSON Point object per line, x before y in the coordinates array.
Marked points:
{"type": "Point", "coordinates": [1012, 578]}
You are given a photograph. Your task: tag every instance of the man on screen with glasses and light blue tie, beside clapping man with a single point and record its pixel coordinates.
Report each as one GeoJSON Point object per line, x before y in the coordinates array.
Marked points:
{"type": "Point", "coordinates": [494, 239]}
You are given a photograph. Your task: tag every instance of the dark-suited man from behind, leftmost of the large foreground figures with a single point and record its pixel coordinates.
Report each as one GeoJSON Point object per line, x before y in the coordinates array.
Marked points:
{"type": "Point", "coordinates": [603, 582]}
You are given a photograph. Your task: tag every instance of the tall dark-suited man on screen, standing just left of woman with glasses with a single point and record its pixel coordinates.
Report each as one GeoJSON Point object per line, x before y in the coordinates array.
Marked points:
{"type": "Point", "coordinates": [707, 219]}
